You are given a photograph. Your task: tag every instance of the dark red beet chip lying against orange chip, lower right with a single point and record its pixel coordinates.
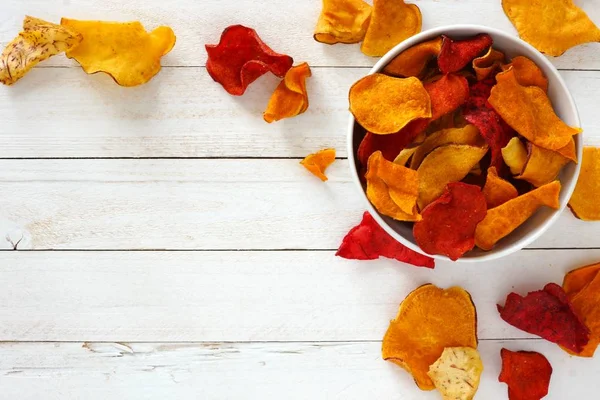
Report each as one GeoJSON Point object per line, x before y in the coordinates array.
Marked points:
{"type": "Point", "coordinates": [549, 314]}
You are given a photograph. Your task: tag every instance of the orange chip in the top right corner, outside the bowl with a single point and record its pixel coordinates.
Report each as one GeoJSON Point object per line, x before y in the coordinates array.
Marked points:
{"type": "Point", "coordinates": [551, 26]}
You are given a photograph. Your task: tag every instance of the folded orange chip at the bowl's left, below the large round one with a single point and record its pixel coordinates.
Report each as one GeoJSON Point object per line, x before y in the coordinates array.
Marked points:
{"type": "Point", "coordinates": [392, 188]}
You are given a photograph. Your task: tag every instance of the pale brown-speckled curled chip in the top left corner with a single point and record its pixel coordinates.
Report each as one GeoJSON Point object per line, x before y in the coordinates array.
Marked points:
{"type": "Point", "coordinates": [39, 41]}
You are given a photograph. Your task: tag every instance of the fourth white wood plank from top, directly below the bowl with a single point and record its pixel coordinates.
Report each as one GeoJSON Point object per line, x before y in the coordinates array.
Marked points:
{"type": "Point", "coordinates": [244, 296]}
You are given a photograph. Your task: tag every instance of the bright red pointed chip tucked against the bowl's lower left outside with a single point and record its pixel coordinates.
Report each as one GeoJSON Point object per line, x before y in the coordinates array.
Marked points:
{"type": "Point", "coordinates": [368, 241]}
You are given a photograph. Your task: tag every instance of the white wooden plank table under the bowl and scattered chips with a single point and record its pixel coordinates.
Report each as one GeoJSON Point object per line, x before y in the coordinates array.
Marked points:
{"type": "Point", "coordinates": [176, 249]}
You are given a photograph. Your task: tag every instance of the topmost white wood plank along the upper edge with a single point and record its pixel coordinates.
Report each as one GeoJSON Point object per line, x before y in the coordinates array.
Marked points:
{"type": "Point", "coordinates": [286, 26]}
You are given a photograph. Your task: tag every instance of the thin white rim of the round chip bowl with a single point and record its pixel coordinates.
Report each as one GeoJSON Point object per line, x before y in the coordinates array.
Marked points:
{"type": "Point", "coordinates": [567, 188]}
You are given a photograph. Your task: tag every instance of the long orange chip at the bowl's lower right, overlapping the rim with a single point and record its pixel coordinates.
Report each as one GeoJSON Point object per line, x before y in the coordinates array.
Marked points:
{"type": "Point", "coordinates": [502, 220]}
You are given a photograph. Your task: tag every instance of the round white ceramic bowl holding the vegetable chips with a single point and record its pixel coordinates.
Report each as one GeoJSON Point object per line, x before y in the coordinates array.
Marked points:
{"type": "Point", "coordinates": [563, 105]}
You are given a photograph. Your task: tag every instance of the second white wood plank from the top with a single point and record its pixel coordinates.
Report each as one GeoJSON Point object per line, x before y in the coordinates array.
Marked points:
{"type": "Point", "coordinates": [62, 113]}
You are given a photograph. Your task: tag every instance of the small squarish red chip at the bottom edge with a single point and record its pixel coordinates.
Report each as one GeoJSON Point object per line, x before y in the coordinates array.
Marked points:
{"type": "Point", "coordinates": [526, 373]}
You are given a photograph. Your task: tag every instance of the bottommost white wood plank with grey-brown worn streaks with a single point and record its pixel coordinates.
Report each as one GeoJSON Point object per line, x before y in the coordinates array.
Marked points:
{"type": "Point", "coordinates": [30, 371]}
